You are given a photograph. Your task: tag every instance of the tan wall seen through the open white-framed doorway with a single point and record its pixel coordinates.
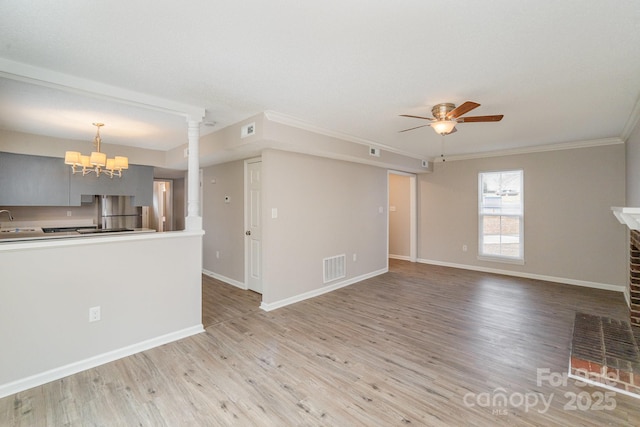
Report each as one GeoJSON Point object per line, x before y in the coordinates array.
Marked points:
{"type": "Point", "coordinates": [399, 219]}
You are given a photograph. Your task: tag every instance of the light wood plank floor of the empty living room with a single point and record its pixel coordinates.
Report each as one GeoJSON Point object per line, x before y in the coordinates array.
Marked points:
{"type": "Point", "coordinates": [420, 345]}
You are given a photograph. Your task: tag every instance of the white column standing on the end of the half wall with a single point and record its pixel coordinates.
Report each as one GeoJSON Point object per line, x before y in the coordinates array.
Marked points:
{"type": "Point", "coordinates": [193, 220]}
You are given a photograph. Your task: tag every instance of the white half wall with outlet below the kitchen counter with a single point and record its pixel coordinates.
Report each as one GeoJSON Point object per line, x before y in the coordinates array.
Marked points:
{"type": "Point", "coordinates": [146, 285]}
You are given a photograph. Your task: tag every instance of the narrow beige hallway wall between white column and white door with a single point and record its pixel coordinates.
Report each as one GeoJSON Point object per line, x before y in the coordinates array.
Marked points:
{"type": "Point", "coordinates": [224, 222]}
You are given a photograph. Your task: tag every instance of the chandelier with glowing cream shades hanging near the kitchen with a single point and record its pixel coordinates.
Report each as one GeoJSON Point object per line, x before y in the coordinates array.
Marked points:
{"type": "Point", "coordinates": [97, 162]}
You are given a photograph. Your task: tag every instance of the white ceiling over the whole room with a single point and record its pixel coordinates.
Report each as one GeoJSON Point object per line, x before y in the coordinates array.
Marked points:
{"type": "Point", "coordinates": [560, 72]}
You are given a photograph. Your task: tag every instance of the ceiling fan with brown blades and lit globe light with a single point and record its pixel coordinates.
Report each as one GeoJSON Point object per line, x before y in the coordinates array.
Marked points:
{"type": "Point", "coordinates": [446, 116]}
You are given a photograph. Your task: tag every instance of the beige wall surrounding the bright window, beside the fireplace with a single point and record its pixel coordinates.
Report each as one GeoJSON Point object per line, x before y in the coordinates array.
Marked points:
{"type": "Point", "coordinates": [569, 229]}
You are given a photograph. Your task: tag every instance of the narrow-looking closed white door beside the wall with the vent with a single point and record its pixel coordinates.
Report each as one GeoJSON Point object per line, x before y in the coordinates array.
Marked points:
{"type": "Point", "coordinates": [253, 225]}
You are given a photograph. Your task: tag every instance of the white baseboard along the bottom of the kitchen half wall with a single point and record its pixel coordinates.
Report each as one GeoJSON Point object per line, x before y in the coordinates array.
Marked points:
{"type": "Point", "coordinates": [82, 365]}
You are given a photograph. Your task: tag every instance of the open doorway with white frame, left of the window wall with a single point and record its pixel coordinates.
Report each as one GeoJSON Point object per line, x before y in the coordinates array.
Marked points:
{"type": "Point", "coordinates": [402, 226]}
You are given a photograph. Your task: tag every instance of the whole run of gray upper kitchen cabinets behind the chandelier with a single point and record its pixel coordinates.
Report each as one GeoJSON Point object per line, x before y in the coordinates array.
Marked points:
{"type": "Point", "coordinates": [46, 181]}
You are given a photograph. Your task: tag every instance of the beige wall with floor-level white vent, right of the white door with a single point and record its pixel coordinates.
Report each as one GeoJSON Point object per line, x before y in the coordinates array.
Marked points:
{"type": "Point", "coordinates": [325, 208]}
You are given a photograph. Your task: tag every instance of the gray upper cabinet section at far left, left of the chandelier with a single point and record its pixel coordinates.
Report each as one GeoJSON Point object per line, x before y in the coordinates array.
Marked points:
{"type": "Point", "coordinates": [33, 181]}
